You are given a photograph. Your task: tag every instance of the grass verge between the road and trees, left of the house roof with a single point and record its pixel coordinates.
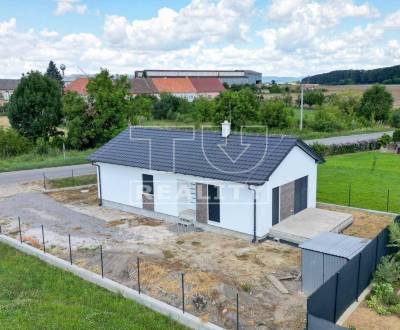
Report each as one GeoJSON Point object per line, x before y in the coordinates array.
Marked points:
{"type": "Point", "coordinates": [31, 160]}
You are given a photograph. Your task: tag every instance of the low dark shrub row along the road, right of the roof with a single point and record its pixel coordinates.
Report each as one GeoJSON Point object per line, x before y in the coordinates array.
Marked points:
{"type": "Point", "coordinates": [345, 148]}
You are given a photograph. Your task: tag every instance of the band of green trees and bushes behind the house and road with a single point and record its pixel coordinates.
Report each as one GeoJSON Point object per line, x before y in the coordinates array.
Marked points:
{"type": "Point", "coordinates": [42, 116]}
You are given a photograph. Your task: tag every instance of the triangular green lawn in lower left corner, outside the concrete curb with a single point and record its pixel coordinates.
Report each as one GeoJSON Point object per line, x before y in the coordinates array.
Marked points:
{"type": "Point", "coordinates": [34, 295]}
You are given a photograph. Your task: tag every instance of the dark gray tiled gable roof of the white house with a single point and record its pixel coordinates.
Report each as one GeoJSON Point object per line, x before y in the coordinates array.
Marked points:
{"type": "Point", "coordinates": [246, 159]}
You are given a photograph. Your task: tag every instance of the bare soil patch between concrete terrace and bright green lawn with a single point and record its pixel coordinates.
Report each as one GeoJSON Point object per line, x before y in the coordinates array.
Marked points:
{"type": "Point", "coordinates": [365, 224]}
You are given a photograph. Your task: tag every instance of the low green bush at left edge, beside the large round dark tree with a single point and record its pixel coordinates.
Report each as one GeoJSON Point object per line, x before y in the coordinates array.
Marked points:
{"type": "Point", "coordinates": [12, 144]}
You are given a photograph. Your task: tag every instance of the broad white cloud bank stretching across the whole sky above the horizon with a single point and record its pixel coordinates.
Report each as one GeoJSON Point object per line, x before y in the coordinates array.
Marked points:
{"type": "Point", "coordinates": [213, 34]}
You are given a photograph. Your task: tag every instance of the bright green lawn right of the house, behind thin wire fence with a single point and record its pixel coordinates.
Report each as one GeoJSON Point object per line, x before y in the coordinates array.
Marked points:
{"type": "Point", "coordinates": [371, 175]}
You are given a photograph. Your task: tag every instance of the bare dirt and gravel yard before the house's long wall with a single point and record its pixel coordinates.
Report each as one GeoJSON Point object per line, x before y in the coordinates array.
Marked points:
{"type": "Point", "coordinates": [216, 267]}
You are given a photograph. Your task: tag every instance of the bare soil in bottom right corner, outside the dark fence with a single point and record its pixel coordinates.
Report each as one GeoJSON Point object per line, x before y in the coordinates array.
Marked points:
{"type": "Point", "coordinates": [365, 318]}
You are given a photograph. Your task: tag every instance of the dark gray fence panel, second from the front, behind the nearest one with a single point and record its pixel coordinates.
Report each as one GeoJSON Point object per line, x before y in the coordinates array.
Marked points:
{"type": "Point", "coordinates": [347, 286]}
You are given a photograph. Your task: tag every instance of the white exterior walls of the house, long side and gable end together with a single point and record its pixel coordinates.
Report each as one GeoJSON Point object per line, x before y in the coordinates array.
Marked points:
{"type": "Point", "coordinates": [123, 185]}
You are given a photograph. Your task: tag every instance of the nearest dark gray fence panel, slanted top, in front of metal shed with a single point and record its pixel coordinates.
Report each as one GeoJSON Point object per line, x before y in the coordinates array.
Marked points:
{"type": "Point", "coordinates": [322, 301]}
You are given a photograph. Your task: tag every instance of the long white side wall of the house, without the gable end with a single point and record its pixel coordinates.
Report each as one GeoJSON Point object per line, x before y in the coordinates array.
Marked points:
{"type": "Point", "coordinates": [123, 185]}
